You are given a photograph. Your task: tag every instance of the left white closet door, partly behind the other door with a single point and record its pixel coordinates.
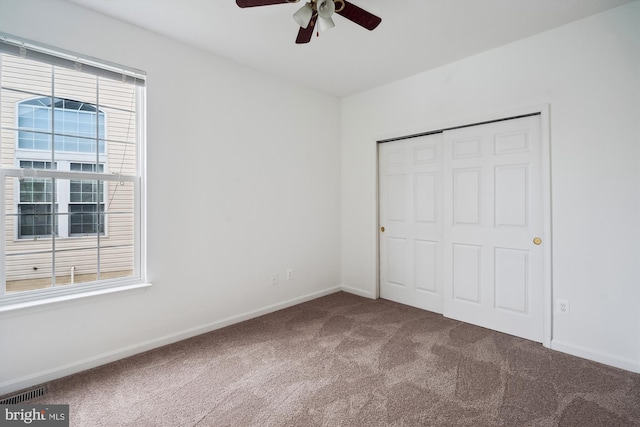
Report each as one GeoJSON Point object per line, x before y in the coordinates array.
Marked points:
{"type": "Point", "coordinates": [410, 216]}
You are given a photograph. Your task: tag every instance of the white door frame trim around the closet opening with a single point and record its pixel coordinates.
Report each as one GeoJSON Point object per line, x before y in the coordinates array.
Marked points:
{"type": "Point", "coordinates": [545, 141]}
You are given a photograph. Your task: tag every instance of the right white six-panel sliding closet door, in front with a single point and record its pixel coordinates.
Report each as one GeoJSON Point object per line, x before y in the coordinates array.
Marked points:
{"type": "Point", "coordinates": [493, 260]}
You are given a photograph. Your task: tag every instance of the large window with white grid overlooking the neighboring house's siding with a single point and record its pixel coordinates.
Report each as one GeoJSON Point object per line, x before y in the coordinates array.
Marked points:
{"type": "Point", "coordinates": [71, 177]}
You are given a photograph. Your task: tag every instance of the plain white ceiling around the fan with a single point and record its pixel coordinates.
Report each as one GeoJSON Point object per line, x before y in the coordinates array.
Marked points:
{"type": "Point", "coordinates": [414, 36]}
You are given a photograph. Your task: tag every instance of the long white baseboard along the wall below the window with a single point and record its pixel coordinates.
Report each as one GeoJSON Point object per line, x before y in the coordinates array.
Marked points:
{"type": "Point", "coordinates": [121, 353]}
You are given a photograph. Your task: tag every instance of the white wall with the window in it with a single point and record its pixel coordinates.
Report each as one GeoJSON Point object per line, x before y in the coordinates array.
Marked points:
{"type": "Point", "coordinates": [240, 186]}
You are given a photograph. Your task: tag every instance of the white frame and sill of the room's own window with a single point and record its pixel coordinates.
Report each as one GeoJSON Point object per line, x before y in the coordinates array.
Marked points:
{"type": "Point", "coordinates": [23, 299]}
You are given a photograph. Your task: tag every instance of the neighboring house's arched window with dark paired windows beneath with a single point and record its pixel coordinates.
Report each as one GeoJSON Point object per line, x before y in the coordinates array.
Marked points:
{"type": "Point", "coordinates": [64, 208]}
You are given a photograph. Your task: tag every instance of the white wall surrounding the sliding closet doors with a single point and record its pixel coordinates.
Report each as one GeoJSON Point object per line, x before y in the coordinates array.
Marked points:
{"type": "Point", "coordinates": [589, 74]}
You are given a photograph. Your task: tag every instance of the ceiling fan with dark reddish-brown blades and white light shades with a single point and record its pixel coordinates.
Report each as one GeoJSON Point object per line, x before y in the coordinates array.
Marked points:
{"type": "Point", "coordinates": [319, 12]}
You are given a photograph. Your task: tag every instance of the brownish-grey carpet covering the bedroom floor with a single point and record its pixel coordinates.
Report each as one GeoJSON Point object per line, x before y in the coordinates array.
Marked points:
{"type": "Point", "coordinates": [343, 360]}
